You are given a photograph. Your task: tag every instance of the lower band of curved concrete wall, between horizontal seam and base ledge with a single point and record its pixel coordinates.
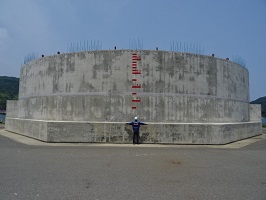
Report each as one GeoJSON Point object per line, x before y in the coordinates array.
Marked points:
{"type": "Point", "coordinates": [114, 108]}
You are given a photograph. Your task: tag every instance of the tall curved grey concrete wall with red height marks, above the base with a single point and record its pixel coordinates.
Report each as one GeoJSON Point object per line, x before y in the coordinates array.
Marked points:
{"type": "Point", "coordinates": [97, 86]}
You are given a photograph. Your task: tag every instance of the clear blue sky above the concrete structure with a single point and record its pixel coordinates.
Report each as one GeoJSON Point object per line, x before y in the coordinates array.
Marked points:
{"type": "Point", "coordinates": [228, 28]}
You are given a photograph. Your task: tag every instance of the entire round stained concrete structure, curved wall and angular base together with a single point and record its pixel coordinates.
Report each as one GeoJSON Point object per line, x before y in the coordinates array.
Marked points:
{"type": "Point", "coordinates": [88, 97]}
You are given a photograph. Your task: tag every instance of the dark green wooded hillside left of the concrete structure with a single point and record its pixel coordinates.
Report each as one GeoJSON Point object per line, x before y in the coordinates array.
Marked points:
{"type": "Point", "coordinates": [9, 87]}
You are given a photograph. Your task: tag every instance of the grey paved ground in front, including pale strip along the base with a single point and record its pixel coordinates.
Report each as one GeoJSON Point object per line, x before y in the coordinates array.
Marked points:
{"type": "Point", "coordinates": [31, 169]}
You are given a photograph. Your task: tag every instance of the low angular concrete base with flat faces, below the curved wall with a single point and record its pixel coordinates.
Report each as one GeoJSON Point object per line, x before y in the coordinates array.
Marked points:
{"type": "Point", "coordinates": [116, 132]}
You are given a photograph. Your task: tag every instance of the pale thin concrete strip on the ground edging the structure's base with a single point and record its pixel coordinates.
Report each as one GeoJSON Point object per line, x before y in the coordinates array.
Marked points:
{"type": "Point", "coordinates": [30, 141]}
